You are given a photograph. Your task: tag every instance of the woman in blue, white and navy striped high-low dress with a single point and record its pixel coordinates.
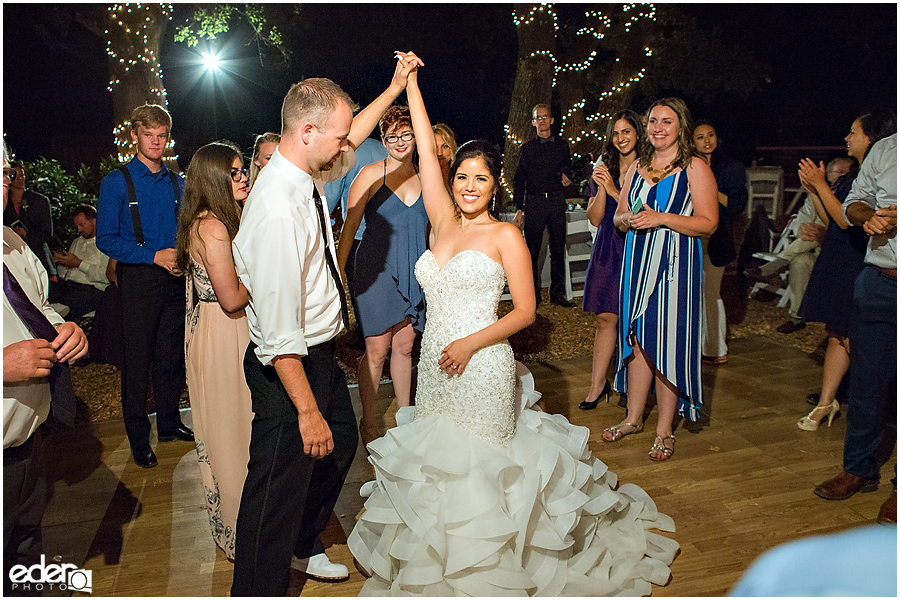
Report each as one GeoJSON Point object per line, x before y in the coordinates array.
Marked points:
{"type": "Point", "coordinates": [670, 202]}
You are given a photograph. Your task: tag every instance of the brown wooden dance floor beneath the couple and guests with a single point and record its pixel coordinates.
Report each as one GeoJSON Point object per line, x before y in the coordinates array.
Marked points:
{"type": "Point", "coordinates": [741, 482]}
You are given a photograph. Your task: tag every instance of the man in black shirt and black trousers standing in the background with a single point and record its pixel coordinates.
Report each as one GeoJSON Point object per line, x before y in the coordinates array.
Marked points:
{"type": "Point", "coordinates": [538, 190]}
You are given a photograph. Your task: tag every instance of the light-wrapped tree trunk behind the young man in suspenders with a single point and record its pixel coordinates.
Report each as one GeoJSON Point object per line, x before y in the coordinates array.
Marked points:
{"type": "Point", "coordinates": [133, 35]}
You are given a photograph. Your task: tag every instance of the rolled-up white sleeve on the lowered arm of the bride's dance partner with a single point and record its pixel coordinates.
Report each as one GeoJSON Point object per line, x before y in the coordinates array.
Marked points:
{"type": "Point", "coordinates": [275, 273]}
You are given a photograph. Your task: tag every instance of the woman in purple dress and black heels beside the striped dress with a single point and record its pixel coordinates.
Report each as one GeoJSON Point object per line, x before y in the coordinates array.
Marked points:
{"type": "Point", "coordinates": [624, 138]}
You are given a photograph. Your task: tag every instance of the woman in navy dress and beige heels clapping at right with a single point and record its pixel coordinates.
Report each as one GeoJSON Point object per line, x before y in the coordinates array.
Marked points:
{"type": "Point", "coordinates": [829, 295]}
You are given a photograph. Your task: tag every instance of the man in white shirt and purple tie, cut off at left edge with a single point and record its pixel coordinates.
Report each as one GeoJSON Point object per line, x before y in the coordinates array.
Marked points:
{"type": "Point", "coordinates": [27, 360]}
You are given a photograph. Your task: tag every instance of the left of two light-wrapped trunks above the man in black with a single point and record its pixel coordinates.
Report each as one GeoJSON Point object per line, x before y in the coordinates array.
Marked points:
{"type": "Point", "coordinates": [533, 85]}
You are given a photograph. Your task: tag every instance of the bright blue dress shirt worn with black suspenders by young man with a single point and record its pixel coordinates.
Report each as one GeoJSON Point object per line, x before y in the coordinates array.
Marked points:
{"type": "Point", "coordinates": [156, 203]}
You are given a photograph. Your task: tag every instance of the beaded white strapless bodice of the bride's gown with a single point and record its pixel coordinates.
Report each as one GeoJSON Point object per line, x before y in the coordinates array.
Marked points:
{"type": "Point", "coordinates": [462, 298]}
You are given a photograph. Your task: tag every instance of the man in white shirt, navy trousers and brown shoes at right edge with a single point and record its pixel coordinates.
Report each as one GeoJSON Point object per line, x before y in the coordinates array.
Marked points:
{"type": "Point", "coordinates": [872, 205]}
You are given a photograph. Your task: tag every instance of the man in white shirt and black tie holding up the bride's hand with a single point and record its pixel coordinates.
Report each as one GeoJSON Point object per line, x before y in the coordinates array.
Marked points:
{"type": "Point", "coordinates": [304, 430]}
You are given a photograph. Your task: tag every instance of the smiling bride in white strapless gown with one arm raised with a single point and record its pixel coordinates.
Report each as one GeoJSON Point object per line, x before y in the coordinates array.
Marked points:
{"type": "Point", "coordinates": [471, 498]}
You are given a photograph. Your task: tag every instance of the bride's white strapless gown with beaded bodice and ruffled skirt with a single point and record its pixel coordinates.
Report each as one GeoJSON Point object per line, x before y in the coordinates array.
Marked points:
{"type": "Point", "coordinates": [455, 510]}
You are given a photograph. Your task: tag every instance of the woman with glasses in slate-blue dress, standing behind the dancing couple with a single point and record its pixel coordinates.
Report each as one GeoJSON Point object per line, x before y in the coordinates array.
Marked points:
{"type": "Point", "coordinates": [390, 301]}
